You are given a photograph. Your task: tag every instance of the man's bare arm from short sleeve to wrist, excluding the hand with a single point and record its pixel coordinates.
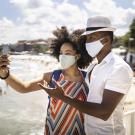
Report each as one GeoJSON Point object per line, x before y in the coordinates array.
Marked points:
{"type": "Point", "coordinates": [103, 110]}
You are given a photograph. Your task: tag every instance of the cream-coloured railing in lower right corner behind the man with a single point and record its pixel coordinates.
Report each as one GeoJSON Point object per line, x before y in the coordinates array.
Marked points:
{"type": "Point", "coordinates": [129, 120]}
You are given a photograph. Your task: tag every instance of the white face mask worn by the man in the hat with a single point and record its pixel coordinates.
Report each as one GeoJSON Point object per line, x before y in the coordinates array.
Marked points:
{"type": "Point", "coordinates": [93, 48]}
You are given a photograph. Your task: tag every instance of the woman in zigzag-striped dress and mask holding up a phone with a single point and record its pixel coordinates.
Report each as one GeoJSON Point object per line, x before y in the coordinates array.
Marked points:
{"type": "Point", "coordinates": [61, 119]}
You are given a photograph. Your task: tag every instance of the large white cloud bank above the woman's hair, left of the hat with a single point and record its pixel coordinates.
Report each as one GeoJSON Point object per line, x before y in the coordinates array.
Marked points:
{"type": "Point", "coordinates": [40, 17]}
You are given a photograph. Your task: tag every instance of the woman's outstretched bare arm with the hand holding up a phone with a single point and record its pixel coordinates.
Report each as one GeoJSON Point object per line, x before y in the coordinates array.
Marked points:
{"type": "Point", "coordinates": [16, 83]}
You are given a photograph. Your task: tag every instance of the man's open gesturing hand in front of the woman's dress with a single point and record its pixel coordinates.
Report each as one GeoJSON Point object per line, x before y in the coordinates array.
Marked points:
{"type": "Point", "coordinates": [56, 92]}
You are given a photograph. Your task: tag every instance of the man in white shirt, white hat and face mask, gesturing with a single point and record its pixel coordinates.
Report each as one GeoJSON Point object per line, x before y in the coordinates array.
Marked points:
{"type": "Point", "coordinates": [109, 81]}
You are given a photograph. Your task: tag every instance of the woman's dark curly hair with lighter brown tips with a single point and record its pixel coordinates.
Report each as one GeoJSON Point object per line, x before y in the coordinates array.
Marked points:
{"type": "Point", "coordinates": [62, 36]}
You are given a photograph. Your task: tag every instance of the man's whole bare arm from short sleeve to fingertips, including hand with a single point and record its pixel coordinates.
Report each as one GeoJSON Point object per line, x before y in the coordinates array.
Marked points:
{"type": "Point", "coordinates": [102, 111]}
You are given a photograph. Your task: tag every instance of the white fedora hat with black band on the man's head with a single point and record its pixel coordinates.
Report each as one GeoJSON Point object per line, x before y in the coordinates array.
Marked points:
{"type": "Point", "coordinates": [98, 23]}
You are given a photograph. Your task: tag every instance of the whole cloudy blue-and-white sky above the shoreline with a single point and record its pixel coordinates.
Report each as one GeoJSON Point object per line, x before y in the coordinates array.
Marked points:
{"type": "Point", "coordinates": [34, 19]}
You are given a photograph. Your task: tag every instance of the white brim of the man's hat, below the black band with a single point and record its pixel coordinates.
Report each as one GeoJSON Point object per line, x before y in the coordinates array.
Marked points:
{"type": "Point", "coordinates": [103, 29]}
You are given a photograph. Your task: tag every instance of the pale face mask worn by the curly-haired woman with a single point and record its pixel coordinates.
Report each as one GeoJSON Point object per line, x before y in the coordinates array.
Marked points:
{"type": "Point", "coordinates": [66, 61]}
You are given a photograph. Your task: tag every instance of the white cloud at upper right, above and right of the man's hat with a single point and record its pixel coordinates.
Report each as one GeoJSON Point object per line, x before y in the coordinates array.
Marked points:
{"type": "Point", "coordinates": [120, 17]}
